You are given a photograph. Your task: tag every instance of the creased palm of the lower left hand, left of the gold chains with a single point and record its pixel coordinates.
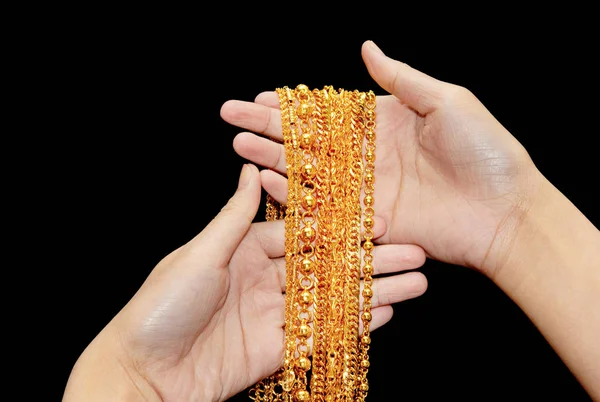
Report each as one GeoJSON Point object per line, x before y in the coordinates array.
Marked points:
{"type": "Point", "coordinates": [240, 342]}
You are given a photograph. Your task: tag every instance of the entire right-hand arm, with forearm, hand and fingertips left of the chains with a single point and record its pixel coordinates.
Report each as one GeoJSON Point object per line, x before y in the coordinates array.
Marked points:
{"type": "Point", "coordinates": [461, 186]}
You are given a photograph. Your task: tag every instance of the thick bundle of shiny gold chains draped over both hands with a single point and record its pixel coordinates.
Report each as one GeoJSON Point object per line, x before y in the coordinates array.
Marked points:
{"type": "Point", "coordinates": [329, 141]}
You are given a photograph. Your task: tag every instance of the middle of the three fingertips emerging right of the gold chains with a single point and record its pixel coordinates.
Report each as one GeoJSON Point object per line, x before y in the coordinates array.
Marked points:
{"type": "Point", "coordinates": [397, 288]}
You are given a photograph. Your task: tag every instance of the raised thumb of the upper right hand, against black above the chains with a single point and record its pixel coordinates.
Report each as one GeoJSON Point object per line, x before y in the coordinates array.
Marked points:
{"type": "Point", "coordinates": [414, 88]}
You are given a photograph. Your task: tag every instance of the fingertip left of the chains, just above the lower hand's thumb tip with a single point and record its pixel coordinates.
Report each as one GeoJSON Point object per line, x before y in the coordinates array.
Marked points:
{"type": "Point", "coordinates": [260, 150]}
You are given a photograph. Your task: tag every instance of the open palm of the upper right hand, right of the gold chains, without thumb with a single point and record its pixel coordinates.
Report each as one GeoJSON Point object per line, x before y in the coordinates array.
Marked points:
{"type": "Point", "coordinates": [445, 185]}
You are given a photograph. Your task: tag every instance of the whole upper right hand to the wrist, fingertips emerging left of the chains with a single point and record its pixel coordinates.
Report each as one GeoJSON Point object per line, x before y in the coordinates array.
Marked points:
{"type": "Point", "coordinates": [449, 177]}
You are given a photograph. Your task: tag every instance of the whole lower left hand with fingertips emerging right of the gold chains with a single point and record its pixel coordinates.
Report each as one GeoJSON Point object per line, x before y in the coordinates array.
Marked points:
{"type": "Point", "coordinates": [208, 322]}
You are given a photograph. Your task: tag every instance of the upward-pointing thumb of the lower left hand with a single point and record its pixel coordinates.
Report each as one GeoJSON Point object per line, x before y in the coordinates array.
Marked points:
{"type": "Point", "coordinates": [221, 237]}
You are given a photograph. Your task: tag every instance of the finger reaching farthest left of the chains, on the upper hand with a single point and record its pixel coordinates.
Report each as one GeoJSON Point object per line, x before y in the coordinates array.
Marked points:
{"type": "Point", "coordinates": [254, 117]}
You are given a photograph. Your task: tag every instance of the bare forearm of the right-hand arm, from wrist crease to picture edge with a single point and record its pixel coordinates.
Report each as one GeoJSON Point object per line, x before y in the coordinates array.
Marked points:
{"type": "Point", "coordinates": [553, 273]}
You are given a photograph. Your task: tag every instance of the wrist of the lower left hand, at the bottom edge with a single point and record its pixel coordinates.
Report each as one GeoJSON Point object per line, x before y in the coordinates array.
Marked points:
{"type": "Point", "coordinates": [104, 372]}
